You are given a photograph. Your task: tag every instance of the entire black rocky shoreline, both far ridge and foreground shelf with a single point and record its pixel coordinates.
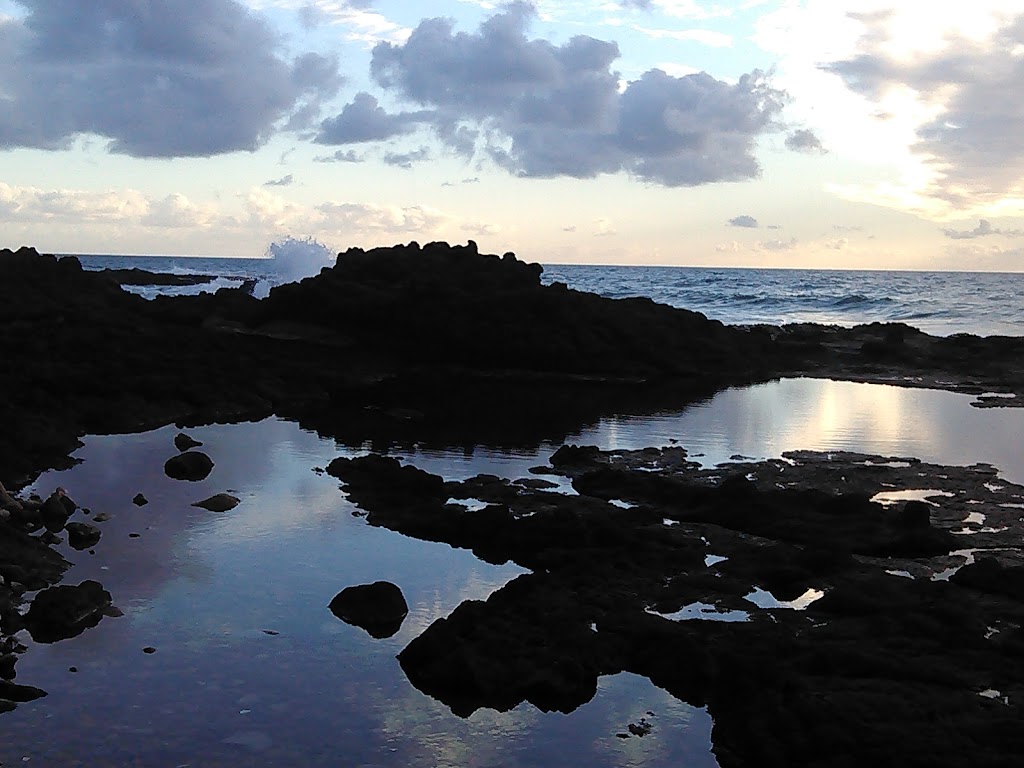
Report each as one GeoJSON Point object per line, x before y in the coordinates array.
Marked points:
{"type": "Point", "coordinates": [446, 345]}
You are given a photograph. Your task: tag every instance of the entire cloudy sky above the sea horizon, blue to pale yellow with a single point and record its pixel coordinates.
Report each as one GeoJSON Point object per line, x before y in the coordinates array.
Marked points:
{"type": "Point", "coordinates": [782, 134]}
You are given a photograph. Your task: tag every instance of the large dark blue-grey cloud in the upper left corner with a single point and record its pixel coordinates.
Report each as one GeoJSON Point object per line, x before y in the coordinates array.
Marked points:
{"type": "Point", "coordinates": [179, 78]}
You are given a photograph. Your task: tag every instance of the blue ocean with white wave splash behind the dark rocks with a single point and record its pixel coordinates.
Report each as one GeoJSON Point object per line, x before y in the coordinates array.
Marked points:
{"type": "Point", "coordinates": [940, 304]}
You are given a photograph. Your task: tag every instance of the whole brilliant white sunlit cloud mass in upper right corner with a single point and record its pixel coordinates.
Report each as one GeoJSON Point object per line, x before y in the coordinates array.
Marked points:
{"type": "Point", "coordinates": [919, 95]}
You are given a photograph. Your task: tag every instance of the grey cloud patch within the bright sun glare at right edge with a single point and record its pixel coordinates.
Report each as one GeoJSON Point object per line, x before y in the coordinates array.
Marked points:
{"type": "Point", "coordinates": [972, 143]}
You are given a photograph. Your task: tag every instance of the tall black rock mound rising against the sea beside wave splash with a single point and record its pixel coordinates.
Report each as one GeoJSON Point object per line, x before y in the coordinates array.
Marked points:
{"type": "Point", "coordinates": [450, 306]}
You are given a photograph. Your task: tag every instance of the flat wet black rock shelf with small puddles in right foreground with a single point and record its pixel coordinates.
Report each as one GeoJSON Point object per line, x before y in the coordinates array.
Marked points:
{"type": "Point", "coordinates": [849, 664]}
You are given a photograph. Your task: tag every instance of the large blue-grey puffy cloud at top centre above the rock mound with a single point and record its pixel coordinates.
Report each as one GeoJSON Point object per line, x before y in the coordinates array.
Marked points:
{"type": "Point", "coordinates": [541, 110]}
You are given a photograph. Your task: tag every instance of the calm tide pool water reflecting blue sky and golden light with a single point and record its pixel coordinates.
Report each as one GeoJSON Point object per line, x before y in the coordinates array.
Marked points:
{"type": "Point", "coordinates": [206, 591]}
